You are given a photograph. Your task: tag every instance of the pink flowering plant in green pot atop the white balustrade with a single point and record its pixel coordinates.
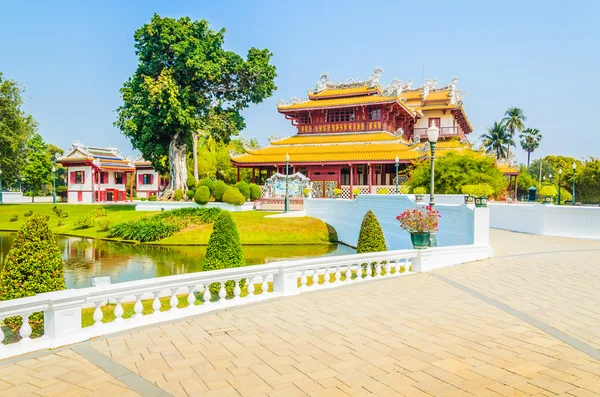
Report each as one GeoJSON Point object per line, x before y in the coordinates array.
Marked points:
{"type": "Point", "coordinates": [420, 223]}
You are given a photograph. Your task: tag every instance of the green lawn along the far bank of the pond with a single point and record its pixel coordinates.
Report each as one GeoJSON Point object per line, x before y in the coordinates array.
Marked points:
{"type": "Point", "coordinates": [254, 228]}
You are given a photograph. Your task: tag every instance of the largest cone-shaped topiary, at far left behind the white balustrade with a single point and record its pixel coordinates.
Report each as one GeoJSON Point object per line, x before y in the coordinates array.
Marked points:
{"type": "Point", "coordinates": [33, 265]}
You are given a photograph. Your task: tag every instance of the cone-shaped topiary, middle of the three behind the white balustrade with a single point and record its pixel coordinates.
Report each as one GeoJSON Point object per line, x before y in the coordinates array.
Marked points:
{"type": "Point", "coordinates": [224, 251]}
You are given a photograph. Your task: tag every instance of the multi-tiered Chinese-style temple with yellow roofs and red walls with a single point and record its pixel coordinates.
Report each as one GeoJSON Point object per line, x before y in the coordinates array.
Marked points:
{"type": "Point", "coordinates": [350, 135]}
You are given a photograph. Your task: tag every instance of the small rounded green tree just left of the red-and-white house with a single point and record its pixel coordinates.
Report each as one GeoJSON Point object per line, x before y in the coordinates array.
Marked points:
{"type": "Point", "coordinates": [38, 167]}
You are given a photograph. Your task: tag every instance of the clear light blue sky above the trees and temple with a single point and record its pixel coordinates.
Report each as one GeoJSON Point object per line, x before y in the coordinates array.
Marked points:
{"type": "Point", "coordinates": [544, 57]}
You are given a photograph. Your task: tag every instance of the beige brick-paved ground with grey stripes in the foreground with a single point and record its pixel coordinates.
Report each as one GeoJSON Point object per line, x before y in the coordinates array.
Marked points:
{"type": "Point", "coordinates": [524, 323]}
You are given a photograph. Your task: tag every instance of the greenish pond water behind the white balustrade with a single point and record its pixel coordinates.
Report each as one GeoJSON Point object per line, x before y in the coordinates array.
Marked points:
{"type": "Point", "coordinates": [85, 258]}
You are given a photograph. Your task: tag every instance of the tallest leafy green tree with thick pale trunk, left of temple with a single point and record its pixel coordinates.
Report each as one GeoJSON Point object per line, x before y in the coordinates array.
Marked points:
{"type": "Point", "coordinates": [187, 83]}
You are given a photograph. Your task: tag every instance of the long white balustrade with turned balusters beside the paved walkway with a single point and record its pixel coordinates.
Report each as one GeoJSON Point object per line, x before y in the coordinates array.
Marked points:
{"type": "Point", "coordinates": [63, 309]}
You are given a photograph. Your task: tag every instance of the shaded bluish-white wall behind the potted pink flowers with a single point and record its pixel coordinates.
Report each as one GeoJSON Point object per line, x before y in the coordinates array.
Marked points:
{"type": "Point", "coordinates": [457, 222]}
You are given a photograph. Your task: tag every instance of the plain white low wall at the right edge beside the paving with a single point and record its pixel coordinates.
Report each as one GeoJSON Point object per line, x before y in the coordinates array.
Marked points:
{"type": "Point", "coordinates": [550, 220]}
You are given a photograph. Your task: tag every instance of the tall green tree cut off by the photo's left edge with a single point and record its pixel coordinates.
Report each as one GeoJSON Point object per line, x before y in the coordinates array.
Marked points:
{"type": "Point", "coordinates": [16, 128]}
